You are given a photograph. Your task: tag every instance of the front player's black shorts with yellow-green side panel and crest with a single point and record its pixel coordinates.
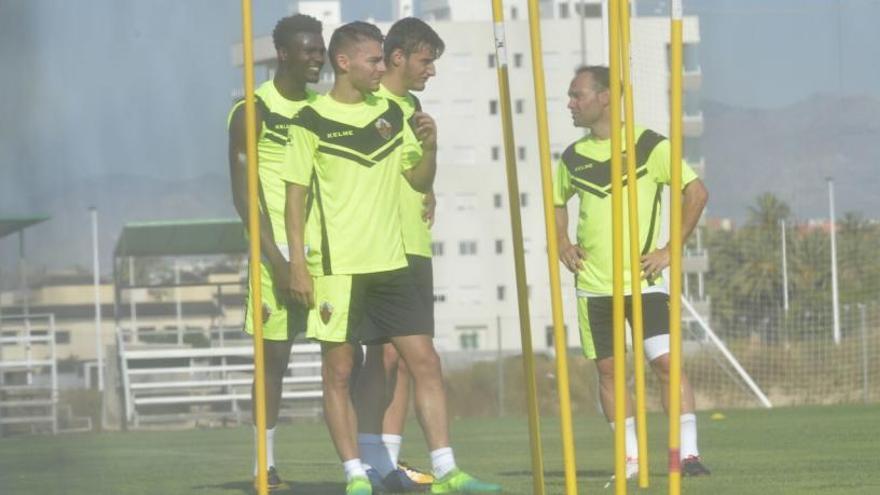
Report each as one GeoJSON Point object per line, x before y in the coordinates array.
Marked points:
{"type": "Point", "coordinates": [368, 308]}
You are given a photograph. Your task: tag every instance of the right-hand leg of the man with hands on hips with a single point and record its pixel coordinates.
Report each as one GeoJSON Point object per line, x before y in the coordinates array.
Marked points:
{"type": "Point", "coordinates": [656, 318]}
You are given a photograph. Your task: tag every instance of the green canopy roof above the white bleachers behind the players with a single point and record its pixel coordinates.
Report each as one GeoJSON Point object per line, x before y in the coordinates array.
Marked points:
{"type": "Point", "coordinates": [182, 238]}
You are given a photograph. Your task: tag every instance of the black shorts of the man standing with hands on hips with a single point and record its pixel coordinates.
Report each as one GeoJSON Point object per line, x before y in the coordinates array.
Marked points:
{"type": "Point", "coordinates": [596, 321]}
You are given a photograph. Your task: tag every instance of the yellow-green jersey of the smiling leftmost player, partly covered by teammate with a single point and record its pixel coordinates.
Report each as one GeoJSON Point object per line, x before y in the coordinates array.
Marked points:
{"type": "Point", "coordinates": [277, 113]}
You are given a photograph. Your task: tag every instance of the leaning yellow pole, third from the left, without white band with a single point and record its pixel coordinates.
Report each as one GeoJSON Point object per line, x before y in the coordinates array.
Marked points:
{"type": "Point", "coordinates": [560, 338]}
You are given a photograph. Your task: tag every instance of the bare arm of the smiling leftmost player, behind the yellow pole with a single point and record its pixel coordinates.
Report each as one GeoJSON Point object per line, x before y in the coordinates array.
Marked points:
{"type": "Point", "coordinates": [238, 179]}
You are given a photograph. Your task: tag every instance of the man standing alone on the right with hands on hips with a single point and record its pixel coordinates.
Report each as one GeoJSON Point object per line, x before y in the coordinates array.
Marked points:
{"type": "Point", "coordinates": [584, 170]}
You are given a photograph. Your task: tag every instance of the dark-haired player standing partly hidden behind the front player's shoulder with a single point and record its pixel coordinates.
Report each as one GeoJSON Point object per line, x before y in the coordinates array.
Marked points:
{"type": "Point", "coordinates": [410, 49]}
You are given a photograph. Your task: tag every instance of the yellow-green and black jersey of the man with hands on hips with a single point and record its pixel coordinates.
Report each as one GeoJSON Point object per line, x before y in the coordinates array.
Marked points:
{"type": "Point", "coordinates": [585, 170]}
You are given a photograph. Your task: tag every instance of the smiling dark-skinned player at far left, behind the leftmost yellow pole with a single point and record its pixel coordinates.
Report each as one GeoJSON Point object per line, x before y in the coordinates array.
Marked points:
{"type": "Point", "coordinates": [300, 49]}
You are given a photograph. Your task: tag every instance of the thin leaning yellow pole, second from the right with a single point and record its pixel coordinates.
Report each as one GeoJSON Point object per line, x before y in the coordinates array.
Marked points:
{"type": "Point", "coordinates": [634, 245]}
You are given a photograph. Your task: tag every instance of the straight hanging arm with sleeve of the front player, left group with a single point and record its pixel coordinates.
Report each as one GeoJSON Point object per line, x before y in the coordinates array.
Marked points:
{"type": "Point", "coordinates": [296, 172]}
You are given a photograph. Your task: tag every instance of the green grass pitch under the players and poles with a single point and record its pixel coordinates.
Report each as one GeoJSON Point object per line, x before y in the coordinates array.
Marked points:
{"type": "Point", "coordinates": [827, 450]}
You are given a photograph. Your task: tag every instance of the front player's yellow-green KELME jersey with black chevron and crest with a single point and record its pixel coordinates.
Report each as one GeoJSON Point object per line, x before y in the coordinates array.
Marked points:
{"type": "Point", "coordinates": [351, 156]}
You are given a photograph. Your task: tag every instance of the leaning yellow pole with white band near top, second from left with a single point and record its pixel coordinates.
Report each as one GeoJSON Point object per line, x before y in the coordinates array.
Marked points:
{"type": "Point", "coordinates": [522, 291]}
